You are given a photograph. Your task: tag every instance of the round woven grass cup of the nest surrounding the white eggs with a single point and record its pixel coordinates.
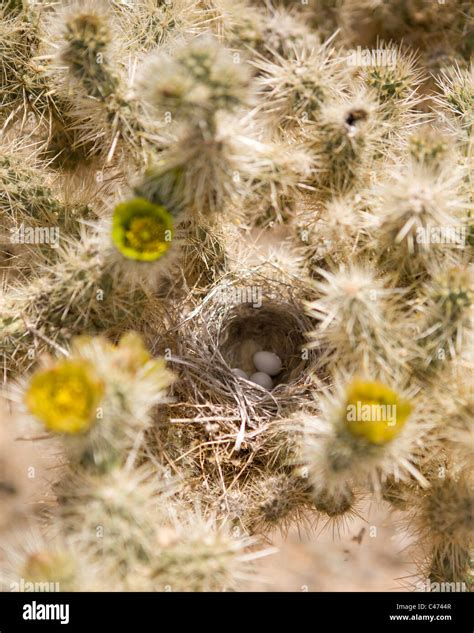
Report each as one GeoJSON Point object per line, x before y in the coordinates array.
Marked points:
{"type": "Point", "coordinates": [221, 331]}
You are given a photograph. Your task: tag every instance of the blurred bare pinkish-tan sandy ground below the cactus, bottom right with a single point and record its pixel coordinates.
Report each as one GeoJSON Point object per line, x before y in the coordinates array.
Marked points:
{"type": "Point", "coordinates": [367, 555]}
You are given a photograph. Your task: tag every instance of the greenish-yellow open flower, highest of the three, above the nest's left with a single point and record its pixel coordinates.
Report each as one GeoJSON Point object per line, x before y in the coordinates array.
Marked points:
{"type": "Point", "coordinates": [141, 230]}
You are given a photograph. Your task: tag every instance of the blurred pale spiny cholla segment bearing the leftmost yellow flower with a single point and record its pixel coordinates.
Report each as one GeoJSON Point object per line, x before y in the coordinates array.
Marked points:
{"type": "Point", "coordinates": [99, 398]}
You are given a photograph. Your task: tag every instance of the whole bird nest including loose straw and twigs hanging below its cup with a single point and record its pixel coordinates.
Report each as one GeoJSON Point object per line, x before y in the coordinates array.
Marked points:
{"type": "Point", "coordinates": [219, 424]}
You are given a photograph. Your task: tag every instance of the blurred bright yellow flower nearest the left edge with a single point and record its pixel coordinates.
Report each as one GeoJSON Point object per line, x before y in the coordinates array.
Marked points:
{"type": "Point", "coordinates": [65, 397]}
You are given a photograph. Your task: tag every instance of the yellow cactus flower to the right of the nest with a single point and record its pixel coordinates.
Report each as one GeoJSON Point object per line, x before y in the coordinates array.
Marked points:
{"type": "Point", "coordinates": [375, 412]}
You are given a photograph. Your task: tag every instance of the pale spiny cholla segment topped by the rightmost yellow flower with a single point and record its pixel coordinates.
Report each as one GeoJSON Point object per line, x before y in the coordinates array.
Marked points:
{"type": "Point", "coordinates": [366, 432]}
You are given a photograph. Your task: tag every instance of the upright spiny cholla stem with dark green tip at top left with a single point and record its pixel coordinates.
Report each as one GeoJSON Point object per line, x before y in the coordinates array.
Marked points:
{"type": "Point", "coordinates": [86, 70]}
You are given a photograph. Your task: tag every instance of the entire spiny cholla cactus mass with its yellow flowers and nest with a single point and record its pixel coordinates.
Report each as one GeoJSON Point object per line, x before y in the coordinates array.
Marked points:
{"type": "Point", "coordinates": [187, 185]}
